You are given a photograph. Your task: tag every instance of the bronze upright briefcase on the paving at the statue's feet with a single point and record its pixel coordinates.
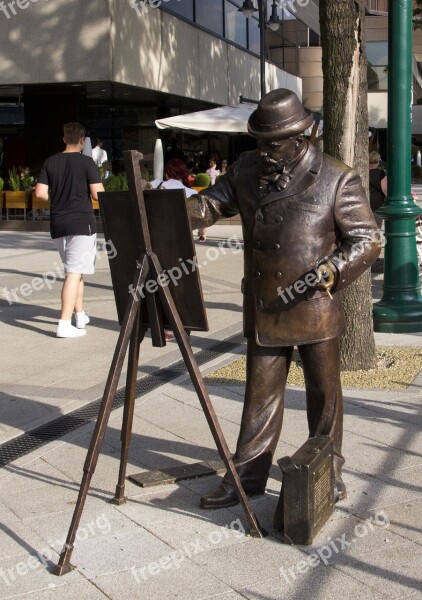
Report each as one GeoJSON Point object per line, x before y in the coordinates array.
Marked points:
{"type": "Point", "coordinates": [307, 499]}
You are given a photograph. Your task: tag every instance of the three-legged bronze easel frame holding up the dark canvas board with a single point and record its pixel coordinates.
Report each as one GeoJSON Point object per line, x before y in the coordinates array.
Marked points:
{"type": "Point", "coordinates": [131, 335]}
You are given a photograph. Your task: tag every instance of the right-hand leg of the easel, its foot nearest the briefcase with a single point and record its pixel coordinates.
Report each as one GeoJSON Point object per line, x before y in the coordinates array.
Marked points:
{"type": "Point", "coordinates": [201, 390]}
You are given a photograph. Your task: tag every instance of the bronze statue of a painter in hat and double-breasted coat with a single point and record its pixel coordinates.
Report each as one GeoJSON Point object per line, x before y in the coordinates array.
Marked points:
{"type": "Point", "coordinates": [308, 233]}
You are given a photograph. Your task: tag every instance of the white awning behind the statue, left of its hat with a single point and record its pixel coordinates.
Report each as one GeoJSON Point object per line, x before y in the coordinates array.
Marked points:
{"type": "Point", "coordinates": [224, 119]}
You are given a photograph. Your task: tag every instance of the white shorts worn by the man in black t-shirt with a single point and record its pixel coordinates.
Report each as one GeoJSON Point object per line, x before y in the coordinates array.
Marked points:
{"type": "Point", "coordinates": [78, 253]}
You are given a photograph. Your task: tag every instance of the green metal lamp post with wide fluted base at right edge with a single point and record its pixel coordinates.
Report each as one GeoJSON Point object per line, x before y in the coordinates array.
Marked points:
{"type": "Point", "coordinates": [400, 308]}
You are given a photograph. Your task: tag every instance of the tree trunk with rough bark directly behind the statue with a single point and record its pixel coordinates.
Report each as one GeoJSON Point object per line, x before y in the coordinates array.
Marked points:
{"type": "Point", "coordinates": [345, 134]}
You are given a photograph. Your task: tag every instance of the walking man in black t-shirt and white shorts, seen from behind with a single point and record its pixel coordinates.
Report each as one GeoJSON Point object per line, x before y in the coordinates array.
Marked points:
{"type": "Point", "coordinates": [69, 179]}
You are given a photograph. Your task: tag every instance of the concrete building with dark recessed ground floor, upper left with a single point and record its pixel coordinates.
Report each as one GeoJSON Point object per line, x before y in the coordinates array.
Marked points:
{"type": "Point", "coordinates": [117, 66]}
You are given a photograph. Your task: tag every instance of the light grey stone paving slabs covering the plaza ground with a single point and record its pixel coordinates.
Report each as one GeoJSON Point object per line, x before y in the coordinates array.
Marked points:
{"type": "Point", "coordinates": [160, 544]}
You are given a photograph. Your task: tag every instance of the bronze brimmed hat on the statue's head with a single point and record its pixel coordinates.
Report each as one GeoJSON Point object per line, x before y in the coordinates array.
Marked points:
{"type": "Point", "coordinates": [280, 114]}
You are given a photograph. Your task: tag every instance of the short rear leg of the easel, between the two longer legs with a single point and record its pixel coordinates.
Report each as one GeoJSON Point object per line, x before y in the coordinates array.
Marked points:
{"type": "Point", "coordinates": [129, 406]}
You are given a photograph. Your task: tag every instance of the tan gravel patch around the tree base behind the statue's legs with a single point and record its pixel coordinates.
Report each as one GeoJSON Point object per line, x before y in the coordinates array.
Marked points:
{"type": "Point", "coordinates": [397, 368]}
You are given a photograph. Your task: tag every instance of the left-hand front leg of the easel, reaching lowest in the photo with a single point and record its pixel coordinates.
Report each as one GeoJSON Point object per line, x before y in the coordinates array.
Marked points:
{"type": "Point", "coordinates": [132, 311]}
